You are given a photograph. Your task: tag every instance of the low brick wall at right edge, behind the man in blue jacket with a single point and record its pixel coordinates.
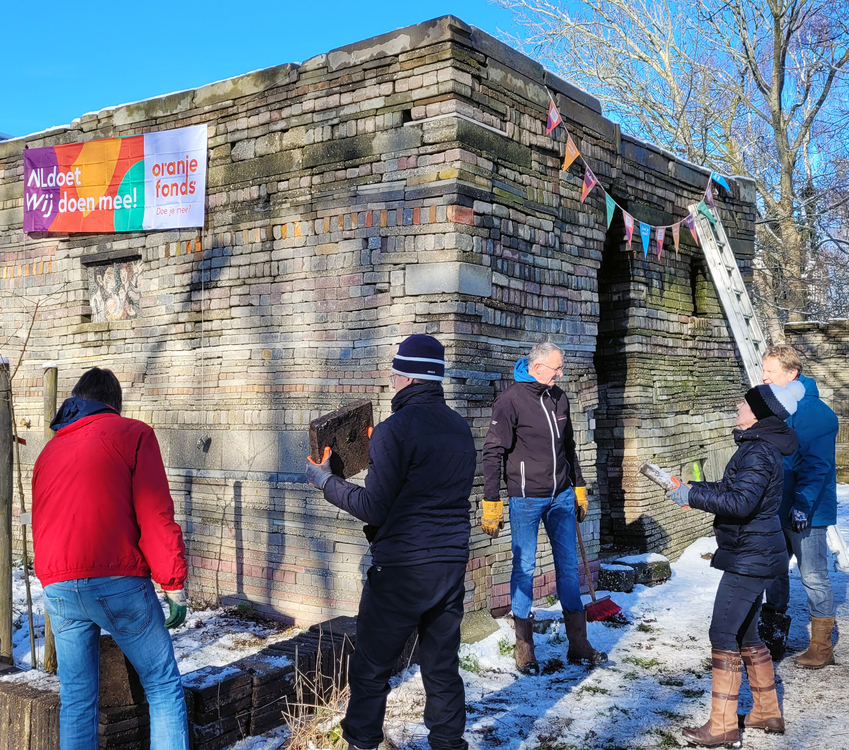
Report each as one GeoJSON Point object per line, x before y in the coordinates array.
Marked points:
{"type": "Point", "coordinates": [825, 352]}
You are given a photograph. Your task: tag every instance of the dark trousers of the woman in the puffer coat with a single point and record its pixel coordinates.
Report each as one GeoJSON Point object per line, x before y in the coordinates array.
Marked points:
{"type": "Point", "coordinates": [735, 611]}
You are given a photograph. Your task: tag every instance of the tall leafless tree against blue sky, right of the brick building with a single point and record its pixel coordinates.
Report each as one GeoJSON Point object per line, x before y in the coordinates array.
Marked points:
{"type": "Point", "coordinates": [754, 87]}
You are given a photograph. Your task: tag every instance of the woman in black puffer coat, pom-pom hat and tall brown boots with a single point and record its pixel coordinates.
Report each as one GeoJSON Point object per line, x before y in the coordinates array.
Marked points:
{"type": "Point", "coordinates": [752, 552]}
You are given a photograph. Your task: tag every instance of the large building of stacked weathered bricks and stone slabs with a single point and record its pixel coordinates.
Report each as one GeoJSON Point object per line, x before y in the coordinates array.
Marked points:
{"type": "Point", "coordinates": [403, 184]}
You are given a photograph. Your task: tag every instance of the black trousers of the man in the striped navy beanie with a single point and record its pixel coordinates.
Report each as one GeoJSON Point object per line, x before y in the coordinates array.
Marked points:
{"type": "Point", "coordinates": [396, 602]}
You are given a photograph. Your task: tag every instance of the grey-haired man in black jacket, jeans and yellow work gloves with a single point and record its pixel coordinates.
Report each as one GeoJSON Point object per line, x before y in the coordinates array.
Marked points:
{"type": "Point", "coordinates": [531, 444]}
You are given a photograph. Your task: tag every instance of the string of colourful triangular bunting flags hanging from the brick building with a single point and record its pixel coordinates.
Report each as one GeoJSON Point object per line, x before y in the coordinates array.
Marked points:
{"type": "Point", "coordinates": [590, 181]}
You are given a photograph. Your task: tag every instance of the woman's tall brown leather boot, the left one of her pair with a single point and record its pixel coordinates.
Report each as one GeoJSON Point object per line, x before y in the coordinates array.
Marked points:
{"type": "Point", "coordinates": [721, 728]}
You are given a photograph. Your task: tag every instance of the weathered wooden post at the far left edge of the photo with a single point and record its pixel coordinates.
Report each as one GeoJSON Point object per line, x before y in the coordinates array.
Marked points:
{"type": "Point", "coordinates": [6, 655]}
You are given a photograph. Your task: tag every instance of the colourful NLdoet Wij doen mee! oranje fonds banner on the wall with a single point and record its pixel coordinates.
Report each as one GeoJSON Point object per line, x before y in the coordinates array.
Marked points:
{"type": "Point", "coordinates": [128, 184]}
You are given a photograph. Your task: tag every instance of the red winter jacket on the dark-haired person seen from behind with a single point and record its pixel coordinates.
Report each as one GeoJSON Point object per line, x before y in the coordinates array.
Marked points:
{"type": "Point", "coordinates": [101, 505]}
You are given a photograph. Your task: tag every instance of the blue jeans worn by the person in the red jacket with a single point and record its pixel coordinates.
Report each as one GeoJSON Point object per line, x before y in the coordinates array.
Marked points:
{"type": "Point", "coordinates": [127, 607]}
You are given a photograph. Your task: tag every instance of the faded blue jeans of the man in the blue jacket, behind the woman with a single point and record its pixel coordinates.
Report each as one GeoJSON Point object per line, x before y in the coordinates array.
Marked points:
{"type": "Point", "coordinates": [811, 550]}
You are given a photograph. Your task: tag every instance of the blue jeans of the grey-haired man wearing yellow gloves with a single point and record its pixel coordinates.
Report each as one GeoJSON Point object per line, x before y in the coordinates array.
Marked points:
{"type": "Point", "coordinates": [558, 516]}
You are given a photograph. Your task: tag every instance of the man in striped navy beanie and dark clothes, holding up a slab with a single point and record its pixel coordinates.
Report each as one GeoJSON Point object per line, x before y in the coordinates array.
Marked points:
{"type": "Point", "coordinates": [416, 506]}
